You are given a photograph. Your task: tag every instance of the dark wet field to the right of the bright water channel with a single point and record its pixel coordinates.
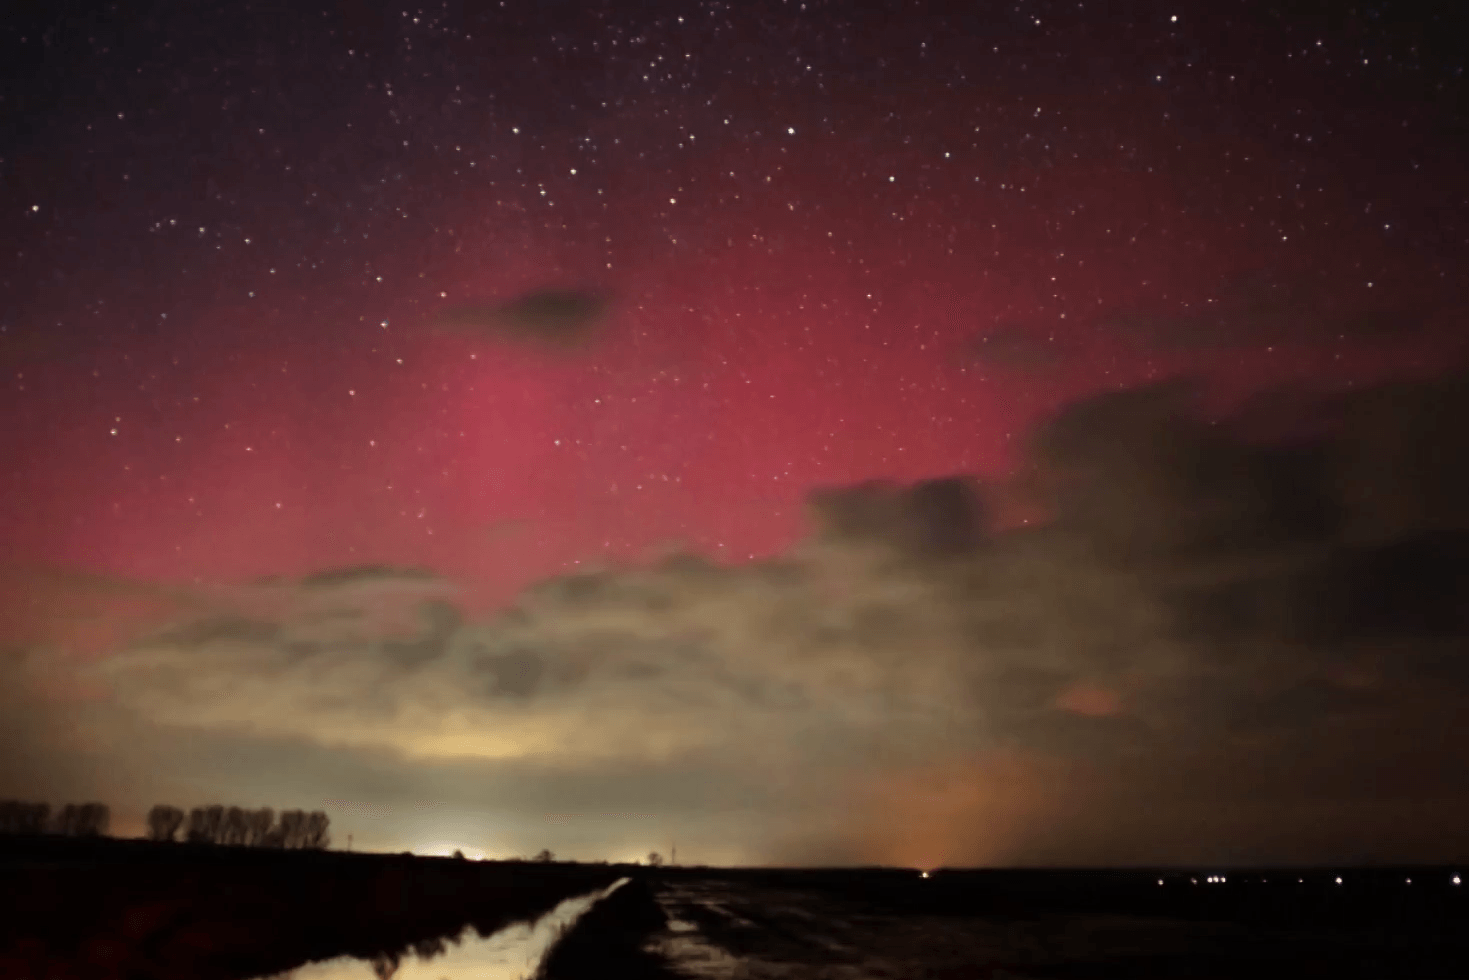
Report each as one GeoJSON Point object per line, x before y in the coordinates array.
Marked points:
{"type": "Point", "coordinates": [1055, 925]}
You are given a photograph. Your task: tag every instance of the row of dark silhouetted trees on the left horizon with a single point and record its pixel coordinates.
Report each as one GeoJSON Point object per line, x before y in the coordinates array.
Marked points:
{"type": "Point", "coordinates": [234, 826]}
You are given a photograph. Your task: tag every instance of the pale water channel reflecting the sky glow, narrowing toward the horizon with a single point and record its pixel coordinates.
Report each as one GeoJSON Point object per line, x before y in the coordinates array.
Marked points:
{"type": "Point", "coordinates": [512, 954]}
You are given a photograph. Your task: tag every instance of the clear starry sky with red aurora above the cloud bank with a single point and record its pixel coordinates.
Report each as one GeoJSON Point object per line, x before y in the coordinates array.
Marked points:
{"type": "Point", "coordinates": [841, 245]}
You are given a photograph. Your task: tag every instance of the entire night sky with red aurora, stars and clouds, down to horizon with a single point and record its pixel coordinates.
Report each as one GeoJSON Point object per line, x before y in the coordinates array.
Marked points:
{"type": "Point", "coordinates": [465, 415]}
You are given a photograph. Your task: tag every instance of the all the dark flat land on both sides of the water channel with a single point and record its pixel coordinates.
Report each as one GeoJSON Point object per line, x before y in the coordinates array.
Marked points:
{"type": "Point", "coordinates": [123, 909]}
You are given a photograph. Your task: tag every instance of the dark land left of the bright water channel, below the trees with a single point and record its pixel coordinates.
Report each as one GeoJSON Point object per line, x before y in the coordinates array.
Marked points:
{"type": "Point", "coordinates": [104, 910]}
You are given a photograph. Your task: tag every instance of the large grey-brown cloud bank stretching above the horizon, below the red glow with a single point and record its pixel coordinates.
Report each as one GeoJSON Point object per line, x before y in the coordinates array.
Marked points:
{"type": "Point", "coordinates": [1205, 621]}
